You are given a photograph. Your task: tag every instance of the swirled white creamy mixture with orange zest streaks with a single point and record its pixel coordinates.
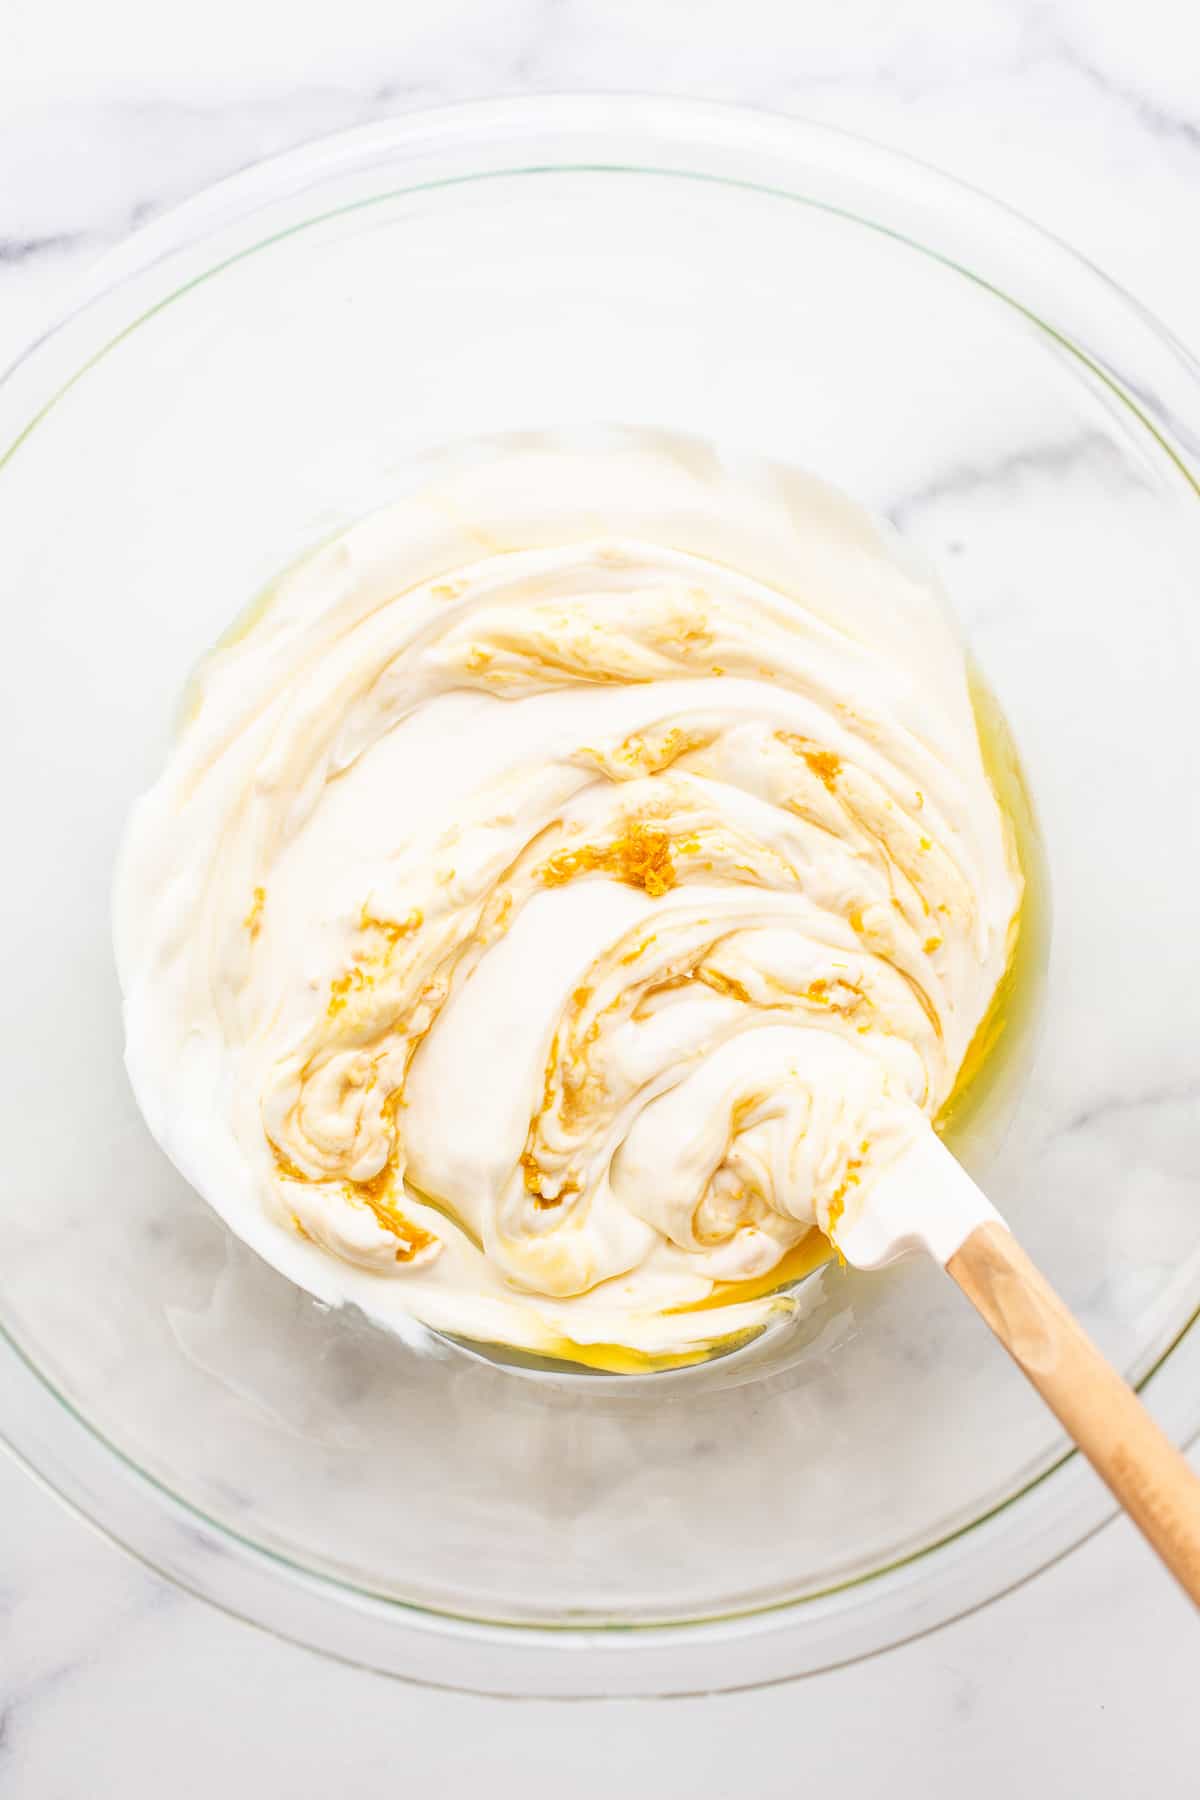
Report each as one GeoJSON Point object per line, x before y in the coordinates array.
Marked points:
{"type": "Point", "coordinates": [571, 886]}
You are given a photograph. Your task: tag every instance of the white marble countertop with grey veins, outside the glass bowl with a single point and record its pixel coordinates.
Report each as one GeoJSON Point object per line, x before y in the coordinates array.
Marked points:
{"type": "Point", "coordinates": [1084, 114]}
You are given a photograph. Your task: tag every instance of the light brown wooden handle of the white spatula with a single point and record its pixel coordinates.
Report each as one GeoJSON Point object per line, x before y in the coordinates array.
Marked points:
{"type": "Point", "coordinates": [1104, 1416]}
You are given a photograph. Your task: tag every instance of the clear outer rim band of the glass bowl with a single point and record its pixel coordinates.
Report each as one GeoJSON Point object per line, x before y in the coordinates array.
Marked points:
{"type": "Point", "coordinates": [1149, 372]}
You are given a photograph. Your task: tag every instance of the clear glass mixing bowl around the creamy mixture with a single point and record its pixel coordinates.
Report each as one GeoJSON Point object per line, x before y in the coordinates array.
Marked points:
{"type": "Point", "coordinates": [271, 363]}
